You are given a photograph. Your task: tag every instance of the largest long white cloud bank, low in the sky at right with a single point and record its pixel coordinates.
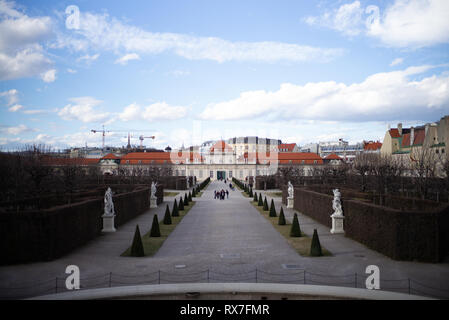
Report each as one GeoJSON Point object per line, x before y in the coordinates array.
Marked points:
{"type": "Point", "coordinates": [381, 96]}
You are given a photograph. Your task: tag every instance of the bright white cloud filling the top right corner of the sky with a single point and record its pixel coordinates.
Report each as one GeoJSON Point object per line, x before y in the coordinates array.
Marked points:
{"type": "Point", "coordinates": [403, 24]}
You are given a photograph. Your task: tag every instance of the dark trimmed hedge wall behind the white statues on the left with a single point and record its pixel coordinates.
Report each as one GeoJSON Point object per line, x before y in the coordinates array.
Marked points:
{"type": "Point", "coordinates": [49, 234]}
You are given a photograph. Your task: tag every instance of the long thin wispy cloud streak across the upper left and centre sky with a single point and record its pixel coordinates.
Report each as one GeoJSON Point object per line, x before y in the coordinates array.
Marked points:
{"type": "Point", "coordinates": [100, 32]}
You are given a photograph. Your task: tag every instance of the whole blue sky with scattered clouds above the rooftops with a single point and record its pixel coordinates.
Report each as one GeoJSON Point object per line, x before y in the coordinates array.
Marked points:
{"type": "Point", "coordinates": [191, 71]}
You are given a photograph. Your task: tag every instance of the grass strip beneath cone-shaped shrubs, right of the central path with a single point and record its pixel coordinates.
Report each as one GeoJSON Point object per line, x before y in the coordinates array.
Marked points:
{"type": "Point", "coordinates": [301, 244]}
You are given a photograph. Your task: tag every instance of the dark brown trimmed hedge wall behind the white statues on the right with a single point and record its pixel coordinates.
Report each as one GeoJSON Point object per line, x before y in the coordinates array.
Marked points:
{"type": "Point", "coordinates": [401, 235]}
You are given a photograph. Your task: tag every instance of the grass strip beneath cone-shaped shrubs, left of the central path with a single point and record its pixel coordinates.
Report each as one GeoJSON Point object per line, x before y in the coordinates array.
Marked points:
{"type": "Point", "coordinates": [150, 244]}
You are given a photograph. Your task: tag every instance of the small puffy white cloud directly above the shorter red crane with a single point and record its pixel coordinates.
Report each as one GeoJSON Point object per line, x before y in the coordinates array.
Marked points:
{"type": "Point", "coordinates": [153, 112]}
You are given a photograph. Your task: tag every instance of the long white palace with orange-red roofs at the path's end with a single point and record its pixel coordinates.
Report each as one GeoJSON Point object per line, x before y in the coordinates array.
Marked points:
{"type": "Point", "coordinates": [221, 160]}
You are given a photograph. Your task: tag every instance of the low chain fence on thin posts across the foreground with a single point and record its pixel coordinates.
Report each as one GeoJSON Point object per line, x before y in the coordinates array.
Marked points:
{"type": "Point", "coordinates": [57, 285]}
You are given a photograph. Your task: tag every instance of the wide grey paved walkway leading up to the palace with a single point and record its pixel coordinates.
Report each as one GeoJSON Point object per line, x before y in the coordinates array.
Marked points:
{"type": "Point", "coordinates": [227, 236]}
